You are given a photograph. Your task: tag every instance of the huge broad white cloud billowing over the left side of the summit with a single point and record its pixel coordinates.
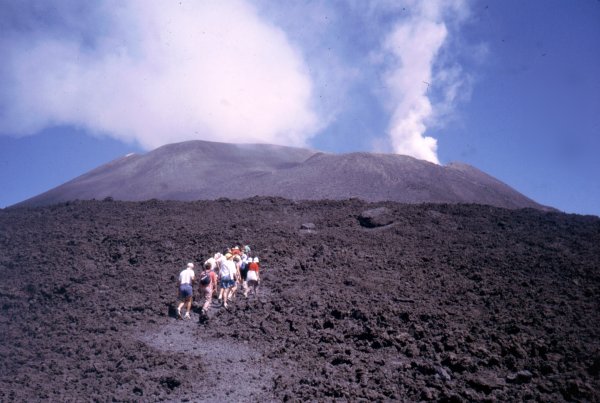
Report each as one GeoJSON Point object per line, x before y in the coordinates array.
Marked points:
{"type": "Point", "coordinates": [165, 72]}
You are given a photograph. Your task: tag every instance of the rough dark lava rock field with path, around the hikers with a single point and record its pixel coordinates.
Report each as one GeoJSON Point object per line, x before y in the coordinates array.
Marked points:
{"type": "Point", "coordinates": [373, 301]}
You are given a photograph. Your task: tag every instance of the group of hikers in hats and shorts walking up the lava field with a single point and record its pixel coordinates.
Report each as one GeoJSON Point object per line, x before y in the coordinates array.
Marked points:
{"type": "Point", "coordinates": [222, 276]}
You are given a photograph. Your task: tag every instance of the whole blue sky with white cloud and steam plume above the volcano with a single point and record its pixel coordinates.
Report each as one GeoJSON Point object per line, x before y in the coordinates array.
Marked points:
{"type": "Point", "coordinates": [510, 87]}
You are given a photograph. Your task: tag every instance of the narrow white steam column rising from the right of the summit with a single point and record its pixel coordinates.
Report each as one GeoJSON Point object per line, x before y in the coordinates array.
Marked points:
{"type": "Point", "coordinates": [411, 77]}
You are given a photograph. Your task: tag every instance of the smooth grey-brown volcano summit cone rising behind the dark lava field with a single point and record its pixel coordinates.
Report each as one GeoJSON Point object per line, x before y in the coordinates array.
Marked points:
{"type": "Point", "coordinates": [200, 170]}
